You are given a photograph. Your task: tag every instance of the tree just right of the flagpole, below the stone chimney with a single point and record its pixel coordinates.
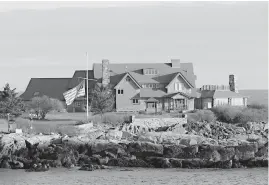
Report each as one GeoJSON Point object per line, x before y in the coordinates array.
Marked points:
{"type": "Point", "coordinates": [103, 99]}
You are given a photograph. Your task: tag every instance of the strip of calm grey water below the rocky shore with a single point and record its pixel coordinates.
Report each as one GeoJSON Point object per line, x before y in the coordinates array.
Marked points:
{"type": "Point", "coordinates": [120, 176]}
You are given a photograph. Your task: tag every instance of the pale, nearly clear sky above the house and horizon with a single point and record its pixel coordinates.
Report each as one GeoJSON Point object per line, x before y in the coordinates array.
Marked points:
{"type": "Point", "coordinates": [49, 40]}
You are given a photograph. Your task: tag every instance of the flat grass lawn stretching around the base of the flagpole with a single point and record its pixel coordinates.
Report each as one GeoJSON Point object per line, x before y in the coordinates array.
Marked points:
{"type": "Point", "coordinates": [65, 122]}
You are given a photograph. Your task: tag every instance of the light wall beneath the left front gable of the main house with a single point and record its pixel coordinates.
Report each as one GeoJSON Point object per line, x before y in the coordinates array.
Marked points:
{"type": "Point", "coordinates": [124, 101]}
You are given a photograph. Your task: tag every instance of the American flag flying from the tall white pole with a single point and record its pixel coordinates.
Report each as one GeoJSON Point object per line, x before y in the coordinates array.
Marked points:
{"type": "Point", "coordinates": [72, 94]}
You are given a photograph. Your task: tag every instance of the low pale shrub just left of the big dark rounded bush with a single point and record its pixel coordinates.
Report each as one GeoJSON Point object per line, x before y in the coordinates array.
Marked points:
{"type": "Point", "coordinates": [201, 115]}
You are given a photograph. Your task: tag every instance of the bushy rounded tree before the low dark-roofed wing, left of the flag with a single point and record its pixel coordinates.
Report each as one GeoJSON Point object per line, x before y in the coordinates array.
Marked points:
{"type": "Point", "coordinates": [43, 105]}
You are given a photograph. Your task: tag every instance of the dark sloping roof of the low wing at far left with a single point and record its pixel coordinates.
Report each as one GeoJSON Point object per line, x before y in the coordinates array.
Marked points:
{"type": "Point", "coordinates": [51, 87]}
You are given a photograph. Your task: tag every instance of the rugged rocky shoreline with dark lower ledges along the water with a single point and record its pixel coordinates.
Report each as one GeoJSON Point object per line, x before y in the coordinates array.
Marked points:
{"type": "Point", "coordinates": [42, 152]}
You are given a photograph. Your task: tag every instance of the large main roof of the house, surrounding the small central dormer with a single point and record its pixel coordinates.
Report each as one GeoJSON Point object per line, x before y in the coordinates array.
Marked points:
{"type": "Point", "coordinates": [165, 71]}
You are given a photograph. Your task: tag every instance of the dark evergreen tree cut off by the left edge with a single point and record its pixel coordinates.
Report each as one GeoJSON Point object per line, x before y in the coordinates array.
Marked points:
{"type": "Point", "coordinates": [10, 102]}
